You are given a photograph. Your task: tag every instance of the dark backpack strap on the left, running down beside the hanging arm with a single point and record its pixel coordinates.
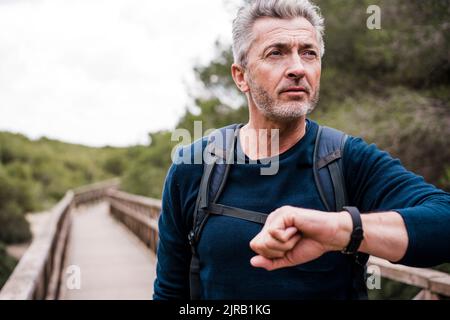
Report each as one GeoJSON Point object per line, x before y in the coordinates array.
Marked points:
{"type": "Point", "coordinates": [219, 149]}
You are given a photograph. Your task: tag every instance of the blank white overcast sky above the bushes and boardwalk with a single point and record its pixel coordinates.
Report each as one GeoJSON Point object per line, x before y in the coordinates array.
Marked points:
{"type": "Point", "coordinates": [102, 72]}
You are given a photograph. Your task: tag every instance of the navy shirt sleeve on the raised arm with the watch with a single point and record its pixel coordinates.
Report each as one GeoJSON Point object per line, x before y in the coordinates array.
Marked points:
{"type": "Point", "coordinates": [377, 182]}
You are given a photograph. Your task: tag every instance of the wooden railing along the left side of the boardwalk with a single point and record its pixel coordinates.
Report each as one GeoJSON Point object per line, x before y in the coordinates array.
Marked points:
{"type": "Point", "coordinates": [38, 273]}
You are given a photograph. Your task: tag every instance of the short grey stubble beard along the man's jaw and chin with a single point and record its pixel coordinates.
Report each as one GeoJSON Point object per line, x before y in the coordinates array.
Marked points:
{"type": "Point", "coordinates": [284, 111]}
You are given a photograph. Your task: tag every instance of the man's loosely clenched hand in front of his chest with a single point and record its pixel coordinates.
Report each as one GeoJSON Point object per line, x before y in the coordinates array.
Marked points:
{"type": "Point", "coordinates": [293, 236]}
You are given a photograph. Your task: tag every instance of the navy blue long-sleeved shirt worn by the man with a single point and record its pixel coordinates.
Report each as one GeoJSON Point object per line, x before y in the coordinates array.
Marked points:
{"type": "Point", "coordinates": [375, 182]}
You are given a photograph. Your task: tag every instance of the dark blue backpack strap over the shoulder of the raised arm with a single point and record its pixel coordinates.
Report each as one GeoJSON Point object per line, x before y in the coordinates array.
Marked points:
{"type": "Point", "coordinates": [327, 168]}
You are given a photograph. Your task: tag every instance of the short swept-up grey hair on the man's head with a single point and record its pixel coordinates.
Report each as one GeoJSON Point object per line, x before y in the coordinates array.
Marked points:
{"type": "Point", "coordinates": [283, 9]}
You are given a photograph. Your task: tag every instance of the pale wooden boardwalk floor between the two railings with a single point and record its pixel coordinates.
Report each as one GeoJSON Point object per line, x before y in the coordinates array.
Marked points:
{"type": "Point", "coordinates": [113, 262]}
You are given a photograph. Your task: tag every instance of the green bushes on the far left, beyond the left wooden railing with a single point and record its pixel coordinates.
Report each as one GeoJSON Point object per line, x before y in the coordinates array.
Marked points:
{"type": "Point", "coordinates": [36, 174]}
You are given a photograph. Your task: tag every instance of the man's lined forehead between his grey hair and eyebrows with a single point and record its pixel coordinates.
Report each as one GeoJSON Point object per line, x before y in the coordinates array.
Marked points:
{"type": "Point", "coordinates": [269, 29]}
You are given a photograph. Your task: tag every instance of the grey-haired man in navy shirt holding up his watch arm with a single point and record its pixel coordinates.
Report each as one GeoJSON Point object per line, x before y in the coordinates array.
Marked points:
{"type": "Point", "coordinates": [297, 254]}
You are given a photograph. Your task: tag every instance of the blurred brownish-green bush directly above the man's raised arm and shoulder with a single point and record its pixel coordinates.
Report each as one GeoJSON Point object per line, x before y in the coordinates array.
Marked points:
{"type": "Point", "coordinates": [399, 122]}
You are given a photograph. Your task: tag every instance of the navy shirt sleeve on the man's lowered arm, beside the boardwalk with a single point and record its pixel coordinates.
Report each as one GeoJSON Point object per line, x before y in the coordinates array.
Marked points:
{"type": "Point", "coordinates": [174, 253]}
